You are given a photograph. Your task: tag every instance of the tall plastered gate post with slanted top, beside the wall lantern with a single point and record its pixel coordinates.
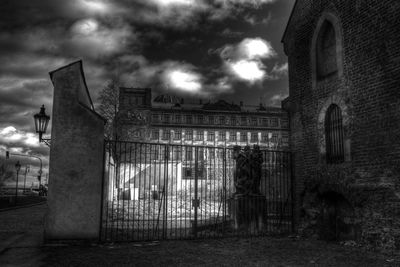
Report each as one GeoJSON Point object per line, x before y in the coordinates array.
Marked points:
{"type": "Point", "coordinates": [76, 159]}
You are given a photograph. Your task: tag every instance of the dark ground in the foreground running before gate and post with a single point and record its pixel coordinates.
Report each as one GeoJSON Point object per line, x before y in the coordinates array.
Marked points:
{"type": "Point", "coordinates": [21, 245]}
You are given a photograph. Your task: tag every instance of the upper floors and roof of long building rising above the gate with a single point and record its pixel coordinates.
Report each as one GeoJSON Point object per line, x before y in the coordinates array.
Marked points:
{"type": "Point", "coordinates": [168, 119]}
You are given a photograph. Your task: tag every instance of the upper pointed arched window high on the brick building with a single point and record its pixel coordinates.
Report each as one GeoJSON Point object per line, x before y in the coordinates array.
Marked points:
{"type": "Point", "coordinates": [326, 51]}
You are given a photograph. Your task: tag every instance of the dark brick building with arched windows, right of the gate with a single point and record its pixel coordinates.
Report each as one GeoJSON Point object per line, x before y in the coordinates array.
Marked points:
{"type": "Point", "coordinates": [344, 105]}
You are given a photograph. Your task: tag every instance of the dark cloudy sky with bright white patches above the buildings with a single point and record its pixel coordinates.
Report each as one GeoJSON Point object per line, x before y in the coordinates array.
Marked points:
{"type": "Point", "coordinates": [208, 49]}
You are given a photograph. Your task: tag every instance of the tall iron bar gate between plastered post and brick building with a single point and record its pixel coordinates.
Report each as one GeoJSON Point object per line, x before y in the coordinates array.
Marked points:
{"type": "Point", "coordinates": [166, 191]}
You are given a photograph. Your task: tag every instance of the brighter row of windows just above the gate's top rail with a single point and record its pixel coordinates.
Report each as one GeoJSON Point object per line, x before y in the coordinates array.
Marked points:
{"type": "Point", "coordinates": [222, 136]}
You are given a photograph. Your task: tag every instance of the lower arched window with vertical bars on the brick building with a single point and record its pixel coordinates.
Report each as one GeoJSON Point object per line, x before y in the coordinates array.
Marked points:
{"type": "Point", "coordinates": [334, 135]}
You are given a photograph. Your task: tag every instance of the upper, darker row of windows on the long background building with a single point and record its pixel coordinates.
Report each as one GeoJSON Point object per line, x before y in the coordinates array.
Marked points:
{"type": "Point", "coordinates": [219, 120]}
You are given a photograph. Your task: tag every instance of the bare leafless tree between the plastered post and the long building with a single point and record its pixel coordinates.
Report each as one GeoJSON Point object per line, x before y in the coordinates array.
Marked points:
{"type": "Point", "coordinates": [109, 106]}
